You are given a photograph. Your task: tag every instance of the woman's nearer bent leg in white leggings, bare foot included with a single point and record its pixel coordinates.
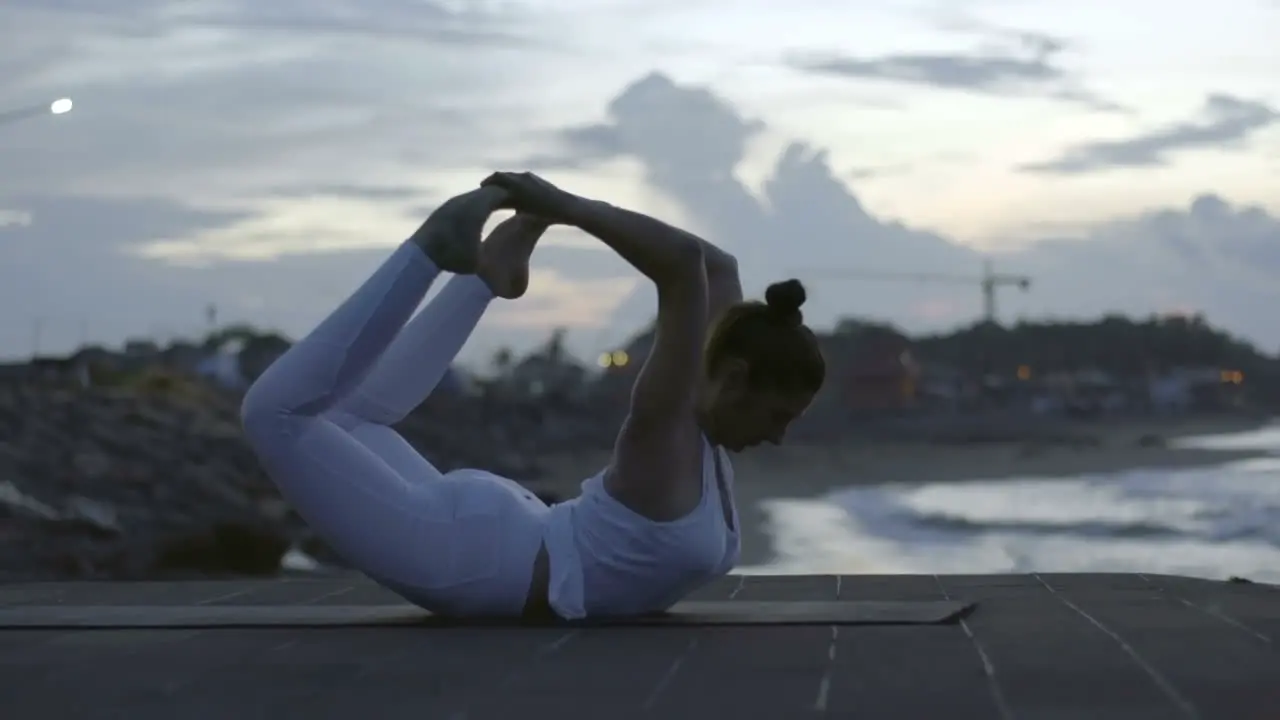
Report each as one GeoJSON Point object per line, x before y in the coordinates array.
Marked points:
{"type": "Point", "coordinates": [392, 530]}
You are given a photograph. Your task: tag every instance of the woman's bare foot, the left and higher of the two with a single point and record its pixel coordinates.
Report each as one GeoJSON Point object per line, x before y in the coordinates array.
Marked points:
{"type": "Point", "coordinates": [451, 235]}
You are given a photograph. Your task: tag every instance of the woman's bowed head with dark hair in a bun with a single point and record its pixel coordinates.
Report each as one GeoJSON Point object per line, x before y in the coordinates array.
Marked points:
{"type": "Point", "coordinates": [764, 368]}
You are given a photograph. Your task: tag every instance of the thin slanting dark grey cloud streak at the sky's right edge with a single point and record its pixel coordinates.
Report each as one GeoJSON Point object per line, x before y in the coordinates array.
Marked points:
{"type": "Point", "coordinates": [1227, 124]}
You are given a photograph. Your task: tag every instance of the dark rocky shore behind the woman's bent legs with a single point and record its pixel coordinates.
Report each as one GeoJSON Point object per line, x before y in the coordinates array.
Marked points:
{"type": "Point", "coordinates": [157, 481]}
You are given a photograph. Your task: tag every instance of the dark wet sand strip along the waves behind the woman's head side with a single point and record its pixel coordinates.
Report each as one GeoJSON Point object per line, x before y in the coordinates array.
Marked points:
{"type": "Point", "coordinates": [808, 472]}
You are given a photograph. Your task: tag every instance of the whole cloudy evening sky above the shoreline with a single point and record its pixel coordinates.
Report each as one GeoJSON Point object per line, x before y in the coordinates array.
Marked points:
{"type": "Point", "coordinates": [262, 158]}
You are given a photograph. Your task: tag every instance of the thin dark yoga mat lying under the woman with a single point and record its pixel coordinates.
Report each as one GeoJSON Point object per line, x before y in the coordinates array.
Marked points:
{"type": "Point", "coordinates": [732, 613]}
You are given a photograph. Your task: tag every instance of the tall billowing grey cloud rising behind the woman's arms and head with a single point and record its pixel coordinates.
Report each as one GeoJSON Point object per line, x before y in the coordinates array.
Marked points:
{"type": "Point", "coordinates": [689, 144]}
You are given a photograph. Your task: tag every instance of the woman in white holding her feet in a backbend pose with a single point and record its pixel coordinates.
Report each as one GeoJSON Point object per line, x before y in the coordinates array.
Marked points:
{"type": "Point", "coordinates": [652, 527]}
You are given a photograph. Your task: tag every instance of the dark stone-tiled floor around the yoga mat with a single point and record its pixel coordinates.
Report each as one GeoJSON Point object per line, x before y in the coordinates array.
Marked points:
{"type": "Point", "coordinates": [1049, 646]}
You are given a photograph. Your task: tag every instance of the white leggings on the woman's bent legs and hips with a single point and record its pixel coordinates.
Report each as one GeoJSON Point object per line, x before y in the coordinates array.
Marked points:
{"type": "Point", "coordinates": [319, 418]}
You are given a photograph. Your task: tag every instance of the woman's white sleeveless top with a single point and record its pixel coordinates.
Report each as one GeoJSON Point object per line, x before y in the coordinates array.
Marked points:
{"type": "Point", "coordinates": [609, 560]}
